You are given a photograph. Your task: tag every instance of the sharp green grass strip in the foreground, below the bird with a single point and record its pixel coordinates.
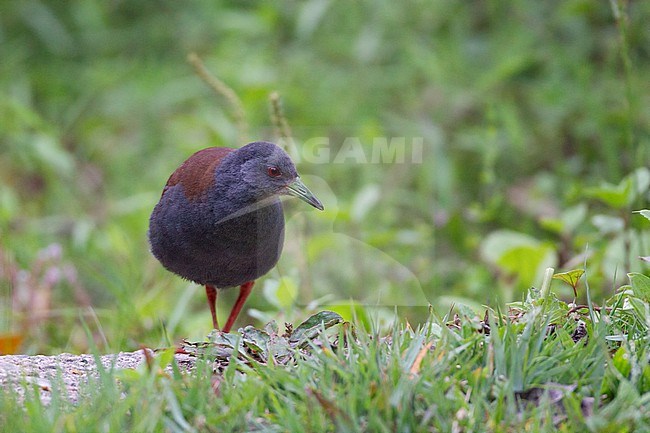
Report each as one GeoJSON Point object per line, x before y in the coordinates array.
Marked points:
{"type": "Point", "coordinates": [526, 371]}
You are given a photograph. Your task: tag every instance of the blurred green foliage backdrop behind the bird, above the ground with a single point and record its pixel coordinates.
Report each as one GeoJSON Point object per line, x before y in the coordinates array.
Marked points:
{"type": "Point", "coordinates": [534, 119]}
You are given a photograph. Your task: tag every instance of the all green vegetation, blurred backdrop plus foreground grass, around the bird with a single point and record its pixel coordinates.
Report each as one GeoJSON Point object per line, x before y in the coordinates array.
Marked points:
{"type": "Point", "coordinates": [534, 132]}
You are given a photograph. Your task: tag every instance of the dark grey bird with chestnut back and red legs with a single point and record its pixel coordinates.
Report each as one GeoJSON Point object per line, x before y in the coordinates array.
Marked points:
{"type": "Point", "coordinates": [220, 222]}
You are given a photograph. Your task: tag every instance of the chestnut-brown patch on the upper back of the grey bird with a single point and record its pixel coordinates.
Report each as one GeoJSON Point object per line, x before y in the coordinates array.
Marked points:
{"type": "Point", "coordinates": [196, 174]}
